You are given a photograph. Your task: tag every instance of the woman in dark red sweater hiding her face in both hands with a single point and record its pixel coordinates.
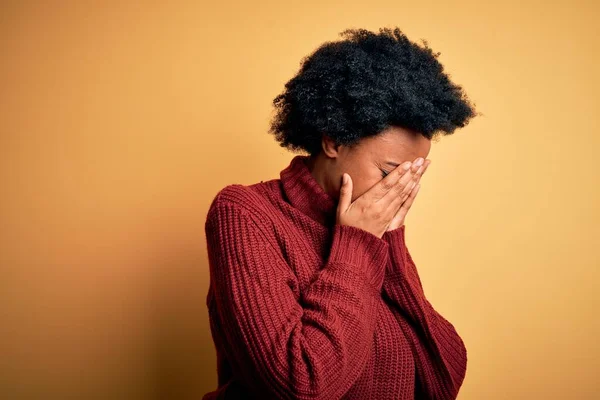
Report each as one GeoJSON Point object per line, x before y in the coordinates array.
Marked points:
{"type": "Point", "coordinates": [313, 293]}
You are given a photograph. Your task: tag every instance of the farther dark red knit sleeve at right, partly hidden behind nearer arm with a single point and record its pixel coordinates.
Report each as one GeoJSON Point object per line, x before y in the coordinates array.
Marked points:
{"type": "Point", "coordinates": [441, 356]}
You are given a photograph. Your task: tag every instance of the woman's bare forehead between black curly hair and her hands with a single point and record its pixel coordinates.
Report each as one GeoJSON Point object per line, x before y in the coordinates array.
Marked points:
{"type": "Point", "coordinates": [397, 145]}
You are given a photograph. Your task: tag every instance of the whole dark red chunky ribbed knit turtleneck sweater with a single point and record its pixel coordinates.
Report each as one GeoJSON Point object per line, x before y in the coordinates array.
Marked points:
{"type": "Point", "coordinates": [303, 308]}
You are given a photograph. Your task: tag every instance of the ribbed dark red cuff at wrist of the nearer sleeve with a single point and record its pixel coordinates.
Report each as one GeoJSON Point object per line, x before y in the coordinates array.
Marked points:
{"type": "Point", "coordinates": [361, 249]}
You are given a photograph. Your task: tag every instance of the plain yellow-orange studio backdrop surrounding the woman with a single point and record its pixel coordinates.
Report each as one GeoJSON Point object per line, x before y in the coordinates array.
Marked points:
{"type": "Point", "coordinates": [119, 123]}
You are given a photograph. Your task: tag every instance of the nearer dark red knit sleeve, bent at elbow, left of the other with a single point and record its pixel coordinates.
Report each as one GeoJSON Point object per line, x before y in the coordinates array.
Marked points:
{"type": "Point", "coordinates": [285, 345]}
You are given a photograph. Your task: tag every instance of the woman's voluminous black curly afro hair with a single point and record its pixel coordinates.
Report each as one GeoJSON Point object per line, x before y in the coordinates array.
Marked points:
{"type": "Point", "coordinates": [358, 87]}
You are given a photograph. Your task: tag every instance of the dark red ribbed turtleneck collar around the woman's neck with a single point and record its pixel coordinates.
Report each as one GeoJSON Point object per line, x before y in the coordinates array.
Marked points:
{"type": "Point", "coordinates": [306, 194]}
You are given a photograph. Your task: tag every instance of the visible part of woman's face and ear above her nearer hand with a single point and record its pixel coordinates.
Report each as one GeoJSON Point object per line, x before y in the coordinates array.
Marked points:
{"type": "Point", "coordinates": [371, 159]}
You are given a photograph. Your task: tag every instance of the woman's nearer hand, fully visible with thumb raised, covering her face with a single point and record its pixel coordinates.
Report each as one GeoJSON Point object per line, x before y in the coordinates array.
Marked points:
{"type": "Point", "coordinates": [374, 210]}
